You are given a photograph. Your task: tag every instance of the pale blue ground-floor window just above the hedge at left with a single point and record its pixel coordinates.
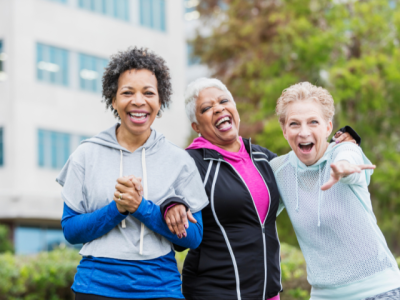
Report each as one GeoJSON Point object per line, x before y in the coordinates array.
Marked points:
{"type": "Point", "coordinates": [29, 240]}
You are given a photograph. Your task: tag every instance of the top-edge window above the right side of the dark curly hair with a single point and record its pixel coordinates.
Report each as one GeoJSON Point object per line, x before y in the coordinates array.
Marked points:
{"type": "Point", "coordinates": [152, 14]}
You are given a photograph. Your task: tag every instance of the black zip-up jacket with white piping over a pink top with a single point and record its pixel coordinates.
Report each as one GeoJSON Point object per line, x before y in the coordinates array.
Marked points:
{"type": "Point", "coordinates": [239, 257]}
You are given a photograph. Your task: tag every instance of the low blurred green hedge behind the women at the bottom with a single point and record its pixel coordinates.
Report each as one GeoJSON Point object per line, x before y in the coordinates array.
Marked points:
{"type": "Point", "coordinates": [49, 275]}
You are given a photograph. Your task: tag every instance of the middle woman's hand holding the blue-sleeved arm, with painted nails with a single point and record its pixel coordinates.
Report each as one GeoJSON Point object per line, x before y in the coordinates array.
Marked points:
{"type": "Point", "coordinates": [177, 220]}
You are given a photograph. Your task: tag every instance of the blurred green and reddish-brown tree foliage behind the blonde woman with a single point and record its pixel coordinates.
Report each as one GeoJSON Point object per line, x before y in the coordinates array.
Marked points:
{"type": "Point", "coordinates": [260, 47]}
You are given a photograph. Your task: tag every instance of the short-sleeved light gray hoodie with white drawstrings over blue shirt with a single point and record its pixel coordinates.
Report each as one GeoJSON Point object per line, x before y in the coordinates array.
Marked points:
{"type": "Point", "coordinates": [89, 178]}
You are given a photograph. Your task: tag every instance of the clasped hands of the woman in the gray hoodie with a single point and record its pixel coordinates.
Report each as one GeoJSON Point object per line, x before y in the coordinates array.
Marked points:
{"type": "Point", "coordinates": [131, 191]}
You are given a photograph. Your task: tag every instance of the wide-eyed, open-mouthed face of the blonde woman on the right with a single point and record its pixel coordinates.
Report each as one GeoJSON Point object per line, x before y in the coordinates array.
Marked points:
{"type": "Point", "coordinates": [306, 130]}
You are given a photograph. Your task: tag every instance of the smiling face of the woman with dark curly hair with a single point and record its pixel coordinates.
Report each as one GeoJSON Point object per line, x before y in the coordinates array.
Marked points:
{"type": "Point", "coordinates": [137, 101]}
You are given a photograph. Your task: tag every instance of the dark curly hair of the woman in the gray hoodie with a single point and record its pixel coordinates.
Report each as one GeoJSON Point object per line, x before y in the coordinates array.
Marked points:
{"type": "Point", "coordinates": [136, 58]}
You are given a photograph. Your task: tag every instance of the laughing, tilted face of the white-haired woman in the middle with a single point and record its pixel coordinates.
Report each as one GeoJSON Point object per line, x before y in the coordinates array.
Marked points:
{"type": "Point", "coordinates": [217, 117]}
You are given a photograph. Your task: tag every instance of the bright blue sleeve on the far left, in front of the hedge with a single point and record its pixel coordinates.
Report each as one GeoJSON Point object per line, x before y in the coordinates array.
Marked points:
{"type": "Point", "coordinates": [82, 228]}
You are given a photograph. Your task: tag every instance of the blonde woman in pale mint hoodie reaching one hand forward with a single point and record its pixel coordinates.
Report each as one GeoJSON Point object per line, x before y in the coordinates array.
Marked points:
{"type": "Point", "coordinates": [325, 192]}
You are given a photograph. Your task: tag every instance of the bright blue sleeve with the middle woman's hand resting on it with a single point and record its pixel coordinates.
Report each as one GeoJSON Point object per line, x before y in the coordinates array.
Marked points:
{"type": "Point", "coordinates": [150, 215]}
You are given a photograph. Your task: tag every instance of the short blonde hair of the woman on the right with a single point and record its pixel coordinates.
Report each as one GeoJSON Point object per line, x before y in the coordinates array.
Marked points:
{"type": "Point", "coordinates": [304, 91]}
